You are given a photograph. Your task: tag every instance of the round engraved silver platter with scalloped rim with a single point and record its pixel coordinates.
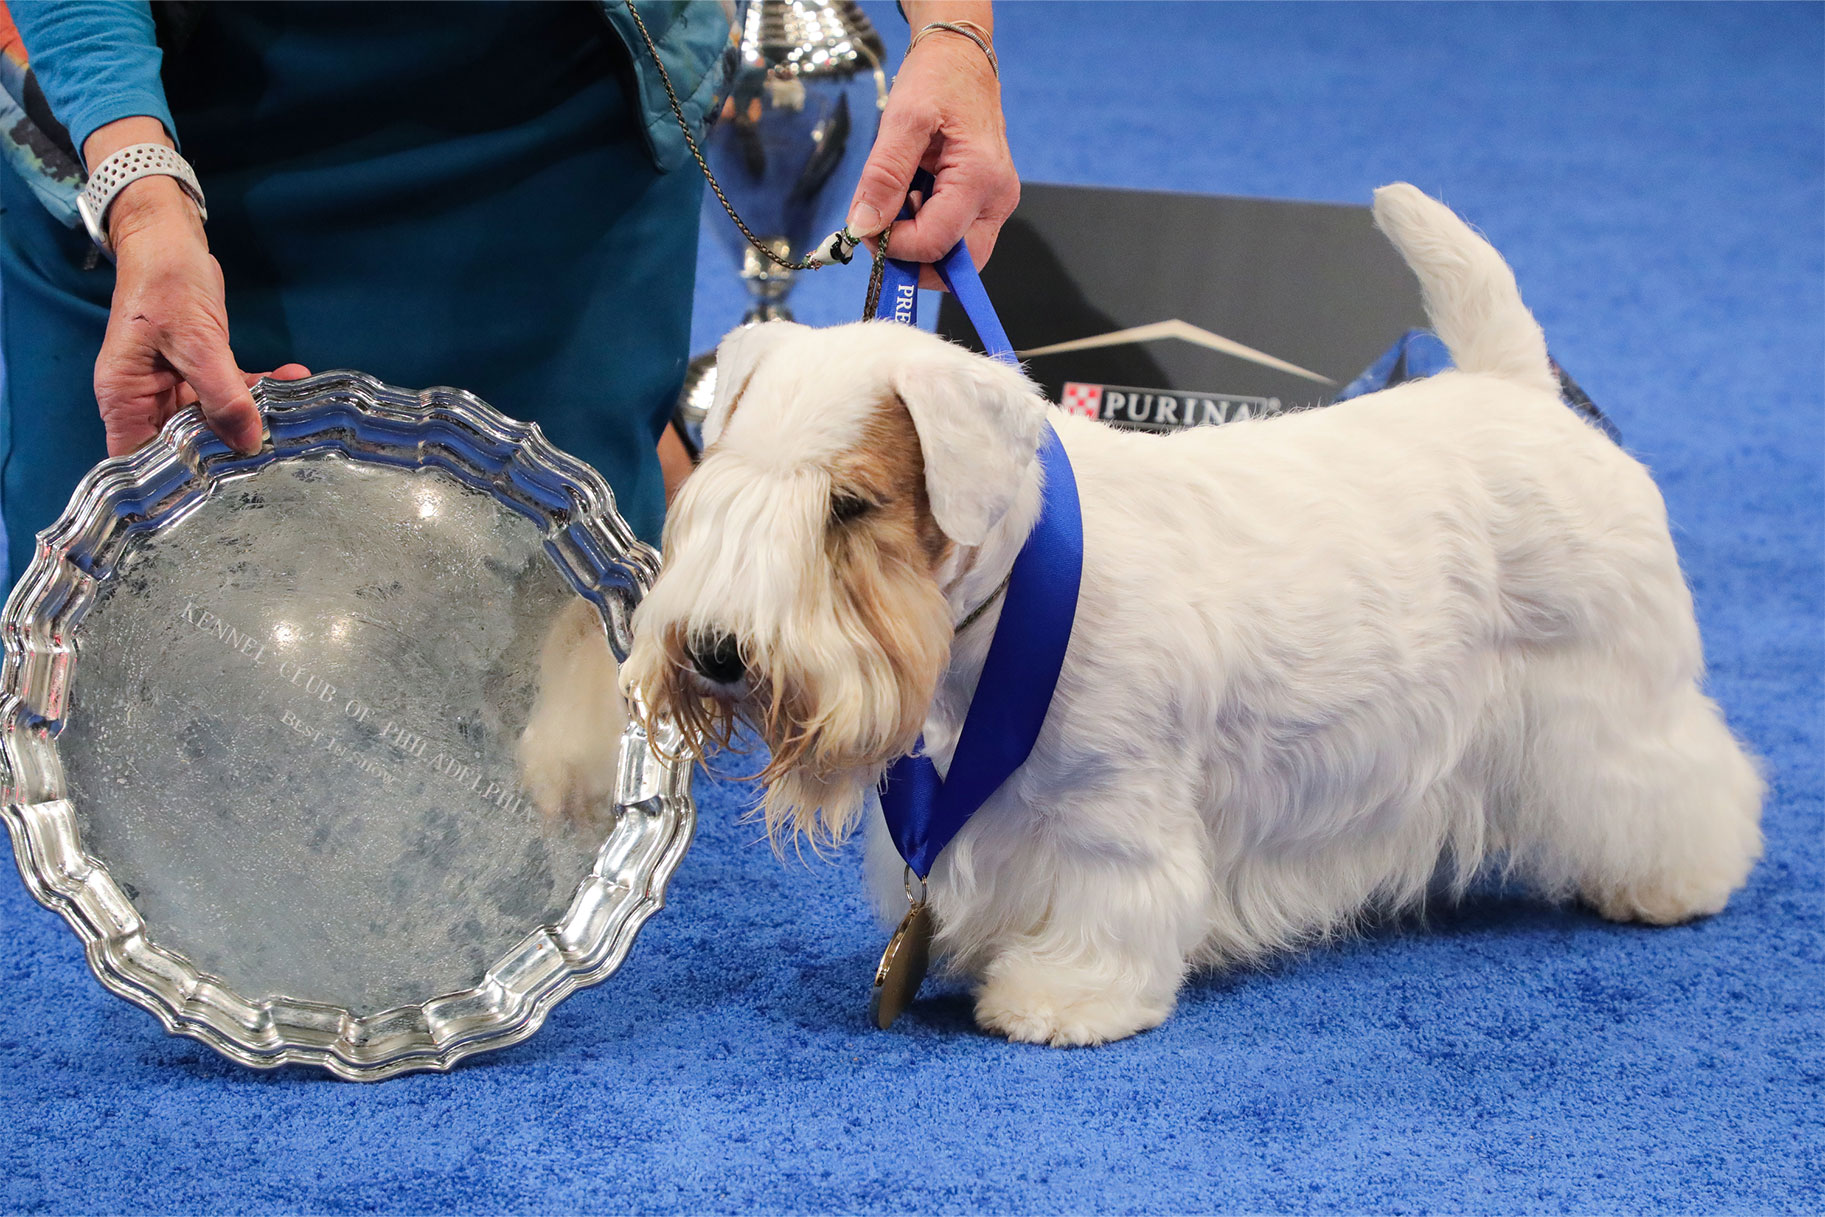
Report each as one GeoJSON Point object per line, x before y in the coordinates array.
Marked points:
{"type": "Point", "coordinates": [318, 749]}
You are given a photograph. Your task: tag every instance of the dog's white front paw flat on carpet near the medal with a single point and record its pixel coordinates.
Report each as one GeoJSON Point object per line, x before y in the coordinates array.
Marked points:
{"type": "Point", "coordinates": [1065, 1010]}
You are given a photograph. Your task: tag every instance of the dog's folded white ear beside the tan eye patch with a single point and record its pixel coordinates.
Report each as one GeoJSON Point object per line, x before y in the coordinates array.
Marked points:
{"type": "Point", "coordinates": [977, 426]}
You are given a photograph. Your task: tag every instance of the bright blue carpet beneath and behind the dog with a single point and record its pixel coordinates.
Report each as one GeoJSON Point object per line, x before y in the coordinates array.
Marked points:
{"type": "Point", "coordinates": [1656, 178]}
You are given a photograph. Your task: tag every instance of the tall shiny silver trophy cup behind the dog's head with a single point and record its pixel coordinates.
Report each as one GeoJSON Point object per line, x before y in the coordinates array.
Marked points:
{"type": "Point", "coordinates": [787, 149]}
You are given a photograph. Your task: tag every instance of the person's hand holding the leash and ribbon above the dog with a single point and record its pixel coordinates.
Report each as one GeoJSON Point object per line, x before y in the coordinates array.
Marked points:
{"type": "Point", "coordinates": [944, 116]}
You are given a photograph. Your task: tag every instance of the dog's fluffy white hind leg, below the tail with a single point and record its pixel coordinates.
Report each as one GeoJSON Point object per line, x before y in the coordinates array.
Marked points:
{"type": "Point", "coordinates": [1642, 804]}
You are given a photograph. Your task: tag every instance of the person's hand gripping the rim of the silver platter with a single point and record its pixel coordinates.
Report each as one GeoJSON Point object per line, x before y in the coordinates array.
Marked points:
{"type": "Point", "coordinates": [167, 344]}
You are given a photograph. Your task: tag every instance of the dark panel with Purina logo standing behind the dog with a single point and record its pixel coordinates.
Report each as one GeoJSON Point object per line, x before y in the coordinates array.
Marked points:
{"type": "Point", "coordinates": [1309, 284]}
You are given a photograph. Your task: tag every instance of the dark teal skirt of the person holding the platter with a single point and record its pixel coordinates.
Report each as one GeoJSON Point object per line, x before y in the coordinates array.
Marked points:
{"type": "Point", "coordinates": [432, 194]}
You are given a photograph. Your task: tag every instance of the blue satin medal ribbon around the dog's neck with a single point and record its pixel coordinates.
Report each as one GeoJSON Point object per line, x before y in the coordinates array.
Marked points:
{"type": "Point", "coordinates": [1027, 654]}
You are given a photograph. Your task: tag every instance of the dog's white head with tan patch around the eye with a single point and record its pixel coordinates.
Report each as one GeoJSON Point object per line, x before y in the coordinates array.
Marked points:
{"type": "Point", "coordinates": [848, 477]}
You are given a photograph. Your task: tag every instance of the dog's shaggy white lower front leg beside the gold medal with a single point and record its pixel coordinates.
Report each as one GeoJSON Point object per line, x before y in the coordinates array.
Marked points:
{"type": "Point", "coordinates": [1105, 962]}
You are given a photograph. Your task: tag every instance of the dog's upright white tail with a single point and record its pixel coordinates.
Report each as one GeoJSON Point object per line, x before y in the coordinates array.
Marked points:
{"type": "Point", "coordinates": [1470, 291]}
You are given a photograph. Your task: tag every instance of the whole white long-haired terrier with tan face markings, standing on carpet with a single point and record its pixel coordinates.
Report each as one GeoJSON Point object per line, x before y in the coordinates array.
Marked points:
{"type": "Point", "coordinates": [1319, 660]}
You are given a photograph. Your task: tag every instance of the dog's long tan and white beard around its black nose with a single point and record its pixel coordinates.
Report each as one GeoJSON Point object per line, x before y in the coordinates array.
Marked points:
{"type": "Point", "coordinates": [837, 694]}
